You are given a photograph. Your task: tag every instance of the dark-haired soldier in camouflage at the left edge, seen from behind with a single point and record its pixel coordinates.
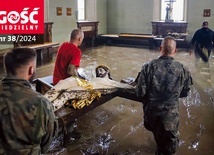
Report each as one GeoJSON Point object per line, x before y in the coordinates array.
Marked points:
{"type": "Point", "coordinates": [27, 120]}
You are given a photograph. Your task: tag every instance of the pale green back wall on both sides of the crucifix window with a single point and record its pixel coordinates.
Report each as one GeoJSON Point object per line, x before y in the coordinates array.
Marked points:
{"type": "Point", "coordinates": [135, 16]}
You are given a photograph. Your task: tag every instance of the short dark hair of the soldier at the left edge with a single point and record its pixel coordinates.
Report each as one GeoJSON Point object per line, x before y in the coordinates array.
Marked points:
{"type": "Point", "coordinates": [16, 58]}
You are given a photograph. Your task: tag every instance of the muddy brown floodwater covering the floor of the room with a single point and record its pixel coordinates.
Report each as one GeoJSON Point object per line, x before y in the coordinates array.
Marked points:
{"type": "Point", "coordinates": [116, 127]}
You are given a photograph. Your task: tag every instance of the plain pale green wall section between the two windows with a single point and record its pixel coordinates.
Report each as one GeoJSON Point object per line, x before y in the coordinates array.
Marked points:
{"type": "Point", "coordinates": [129, 16]}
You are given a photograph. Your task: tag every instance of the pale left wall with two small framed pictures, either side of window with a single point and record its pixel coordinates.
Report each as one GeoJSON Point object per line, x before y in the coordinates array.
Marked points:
{"type": "Point", "coordinates": [63, 25]}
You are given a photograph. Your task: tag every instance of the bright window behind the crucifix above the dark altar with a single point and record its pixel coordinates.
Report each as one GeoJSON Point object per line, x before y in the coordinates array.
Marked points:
{"type": "Point", "coordinates": [177, 11]}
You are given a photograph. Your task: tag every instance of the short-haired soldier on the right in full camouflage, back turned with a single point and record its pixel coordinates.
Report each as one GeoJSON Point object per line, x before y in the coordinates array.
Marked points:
{"type": "Point", "coordinates": [160, 84]}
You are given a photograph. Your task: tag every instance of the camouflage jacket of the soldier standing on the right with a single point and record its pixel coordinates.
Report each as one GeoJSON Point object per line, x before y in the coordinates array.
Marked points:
{"type": "Point", "coordinates": [161, 83]}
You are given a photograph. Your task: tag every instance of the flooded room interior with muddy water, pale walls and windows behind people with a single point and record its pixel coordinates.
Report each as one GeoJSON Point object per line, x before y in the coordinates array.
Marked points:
{"type": "Point", "coordinates": [125, 35]}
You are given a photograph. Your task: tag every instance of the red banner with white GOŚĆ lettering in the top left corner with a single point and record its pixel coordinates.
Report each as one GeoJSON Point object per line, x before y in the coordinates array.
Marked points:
{"type": "Point", "coordinates": [21, 16]}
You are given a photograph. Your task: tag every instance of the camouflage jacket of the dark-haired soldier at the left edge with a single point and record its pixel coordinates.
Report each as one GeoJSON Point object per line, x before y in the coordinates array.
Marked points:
{"type": "Point", "coordinates": [27, 120]}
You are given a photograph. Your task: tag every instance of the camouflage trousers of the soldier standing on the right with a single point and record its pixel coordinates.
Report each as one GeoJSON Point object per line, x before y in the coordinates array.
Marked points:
{"type": "Point", "coordinates": [165, 134]}
